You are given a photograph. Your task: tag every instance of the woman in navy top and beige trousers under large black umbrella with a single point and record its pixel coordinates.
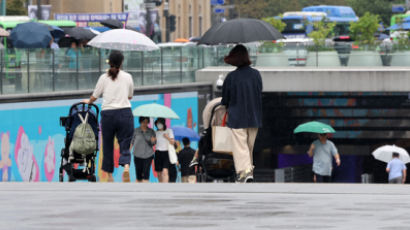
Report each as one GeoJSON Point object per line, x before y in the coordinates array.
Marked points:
{"type": "Point", "coordinates": [242, 95]}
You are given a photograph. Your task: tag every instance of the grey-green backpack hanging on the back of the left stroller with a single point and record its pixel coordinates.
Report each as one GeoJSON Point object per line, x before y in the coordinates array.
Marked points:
{"type": "Point", "coordinates": [83, 141]}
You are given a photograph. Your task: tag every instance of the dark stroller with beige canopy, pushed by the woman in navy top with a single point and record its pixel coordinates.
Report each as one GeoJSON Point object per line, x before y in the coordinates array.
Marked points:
{"type": "Point", "coordinates": [213, 166]}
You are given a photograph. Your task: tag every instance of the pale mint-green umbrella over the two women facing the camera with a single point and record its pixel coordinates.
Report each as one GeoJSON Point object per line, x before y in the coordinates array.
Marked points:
{"type": "Point", "coordinates": [154, 110]}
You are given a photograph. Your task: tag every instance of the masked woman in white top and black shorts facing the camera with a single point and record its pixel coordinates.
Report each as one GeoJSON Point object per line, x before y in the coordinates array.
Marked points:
{"type": "Point", "coordinates": [161, 160]}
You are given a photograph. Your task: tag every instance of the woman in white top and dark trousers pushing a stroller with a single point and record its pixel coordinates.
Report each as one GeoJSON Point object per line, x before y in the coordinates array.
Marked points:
{"type": "Point", "coordinates": [116, 88]}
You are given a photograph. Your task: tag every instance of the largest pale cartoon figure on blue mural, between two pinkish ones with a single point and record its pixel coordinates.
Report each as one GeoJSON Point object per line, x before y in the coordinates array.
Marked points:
{"type": "Point", "coordinates": [25, 160]}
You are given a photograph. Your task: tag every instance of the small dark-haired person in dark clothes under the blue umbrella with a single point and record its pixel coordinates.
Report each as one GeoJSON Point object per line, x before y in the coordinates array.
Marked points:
{"type": "Point", "coordinates": [184, 158]}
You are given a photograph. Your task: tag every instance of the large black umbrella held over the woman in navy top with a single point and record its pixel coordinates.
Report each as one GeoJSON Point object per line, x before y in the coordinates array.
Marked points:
{"type": "Point", "coordinates": [240, 30]}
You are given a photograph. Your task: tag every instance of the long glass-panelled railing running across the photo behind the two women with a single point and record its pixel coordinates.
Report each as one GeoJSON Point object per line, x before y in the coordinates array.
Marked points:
{"type": "Point", "coordinates": [47, 70]}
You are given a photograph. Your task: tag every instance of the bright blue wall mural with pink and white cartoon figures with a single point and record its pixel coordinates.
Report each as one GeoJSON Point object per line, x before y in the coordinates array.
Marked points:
{"type": "Point", "coordinates": [31, 137]}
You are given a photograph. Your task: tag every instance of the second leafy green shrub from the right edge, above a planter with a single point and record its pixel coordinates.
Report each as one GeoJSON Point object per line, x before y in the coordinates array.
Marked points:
{"type": "Point", "coordinates": [364, 29]}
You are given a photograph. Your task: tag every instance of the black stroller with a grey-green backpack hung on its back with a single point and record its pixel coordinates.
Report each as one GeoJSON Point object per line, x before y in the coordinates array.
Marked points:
{"type": "Point", "coordinates": [87, 162]}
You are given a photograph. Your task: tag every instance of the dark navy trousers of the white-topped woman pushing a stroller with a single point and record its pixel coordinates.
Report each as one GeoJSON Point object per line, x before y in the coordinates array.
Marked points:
{"type": "Point", "coordinates": [116, 123]}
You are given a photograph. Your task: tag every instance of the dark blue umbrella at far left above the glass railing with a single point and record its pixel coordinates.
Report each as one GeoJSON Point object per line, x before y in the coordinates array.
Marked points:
{"type": "Point", "coordinates": [30, 35]}
